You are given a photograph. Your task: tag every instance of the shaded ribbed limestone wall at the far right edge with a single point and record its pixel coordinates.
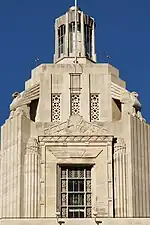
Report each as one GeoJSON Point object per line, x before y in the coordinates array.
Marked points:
{"type": "Point", "coordinates": [140, 161]}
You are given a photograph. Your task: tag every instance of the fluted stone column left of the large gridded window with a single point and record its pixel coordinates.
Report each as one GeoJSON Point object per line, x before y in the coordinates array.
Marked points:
{"type": "Point", "coordinates": [32, 179]}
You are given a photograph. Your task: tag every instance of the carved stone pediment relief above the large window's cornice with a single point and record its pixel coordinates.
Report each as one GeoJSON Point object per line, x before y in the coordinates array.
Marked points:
{"type": "Point", "coordinates": [75, 125]}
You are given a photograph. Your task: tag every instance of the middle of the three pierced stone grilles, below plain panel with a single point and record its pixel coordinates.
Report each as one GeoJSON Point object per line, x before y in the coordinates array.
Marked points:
{"type": "Point", "coordinates": [75, 104]}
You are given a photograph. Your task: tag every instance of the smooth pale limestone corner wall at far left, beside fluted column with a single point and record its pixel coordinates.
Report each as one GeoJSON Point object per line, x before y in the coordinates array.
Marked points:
{"type": "Point", "coordinates": [14, 134]}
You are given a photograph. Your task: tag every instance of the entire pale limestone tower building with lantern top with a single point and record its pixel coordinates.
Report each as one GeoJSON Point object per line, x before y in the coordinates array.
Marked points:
{"type": "Point", "coordinates": [75, 144]}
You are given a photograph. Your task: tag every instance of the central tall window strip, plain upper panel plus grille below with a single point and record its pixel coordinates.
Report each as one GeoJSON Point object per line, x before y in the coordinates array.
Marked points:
{"type": "Point", "coordinates": [75, 94]}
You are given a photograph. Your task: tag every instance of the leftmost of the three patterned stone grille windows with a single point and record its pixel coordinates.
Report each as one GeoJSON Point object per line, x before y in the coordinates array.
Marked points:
{"type": "Point", "coordinates": [55, 107]}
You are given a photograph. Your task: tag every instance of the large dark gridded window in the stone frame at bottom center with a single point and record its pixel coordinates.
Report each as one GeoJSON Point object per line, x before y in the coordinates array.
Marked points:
{"type": "Point", "coordinates": [75, 191]}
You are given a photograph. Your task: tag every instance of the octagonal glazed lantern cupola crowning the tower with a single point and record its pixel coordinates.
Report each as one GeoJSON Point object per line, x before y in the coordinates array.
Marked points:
{"type": "Point", "coordinates": [74, 37]}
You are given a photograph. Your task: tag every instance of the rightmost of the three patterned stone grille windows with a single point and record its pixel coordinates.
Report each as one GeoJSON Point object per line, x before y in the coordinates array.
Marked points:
{"type": "Point", "coordinates": [95, 107]}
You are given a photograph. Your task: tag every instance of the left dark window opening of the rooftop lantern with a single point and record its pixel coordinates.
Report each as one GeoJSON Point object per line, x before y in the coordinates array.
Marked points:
{"type": "Point", "coordinates": [61, 39]}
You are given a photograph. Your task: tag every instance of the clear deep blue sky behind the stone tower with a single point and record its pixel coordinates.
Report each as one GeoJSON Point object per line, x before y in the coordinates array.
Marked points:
{"type": "Point", "coordinates": [27, 32]}
